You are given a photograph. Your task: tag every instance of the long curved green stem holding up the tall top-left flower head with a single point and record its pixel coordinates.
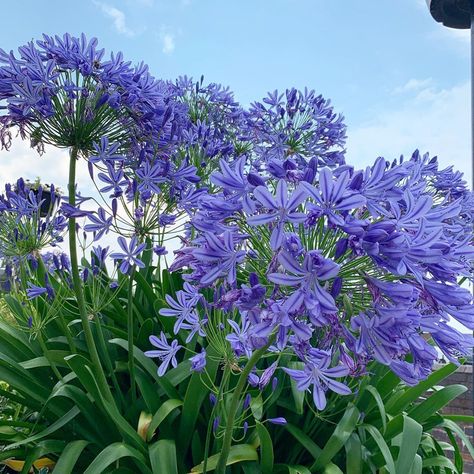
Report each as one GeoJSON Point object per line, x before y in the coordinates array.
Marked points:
{"type": "Point", "coordinates": [77, 283]}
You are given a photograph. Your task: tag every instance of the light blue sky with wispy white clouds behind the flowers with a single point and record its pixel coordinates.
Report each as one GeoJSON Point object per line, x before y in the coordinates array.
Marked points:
{"type": "Point", "coordinates": [401, 80]}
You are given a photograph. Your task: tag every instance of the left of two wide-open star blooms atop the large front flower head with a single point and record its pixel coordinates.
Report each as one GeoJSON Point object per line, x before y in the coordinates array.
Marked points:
{"type": "Point", "coordinates": [281, 209]}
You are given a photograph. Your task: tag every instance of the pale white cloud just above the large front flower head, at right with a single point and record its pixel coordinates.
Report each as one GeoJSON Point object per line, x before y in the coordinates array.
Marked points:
{"type": "Point", "coordinates": [433, 120]}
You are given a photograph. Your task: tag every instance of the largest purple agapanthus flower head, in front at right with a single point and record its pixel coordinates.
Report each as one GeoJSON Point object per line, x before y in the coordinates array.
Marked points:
{"type": "Point", "coordinates": [336, 266]}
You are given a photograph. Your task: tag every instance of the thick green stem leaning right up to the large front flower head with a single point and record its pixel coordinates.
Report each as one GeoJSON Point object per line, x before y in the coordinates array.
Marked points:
{"type": "Point", "coordinates": [226, 444]}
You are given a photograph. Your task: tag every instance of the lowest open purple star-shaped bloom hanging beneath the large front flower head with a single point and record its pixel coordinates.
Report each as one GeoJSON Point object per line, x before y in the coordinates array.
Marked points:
{"type": "Point", "coordinates": [318, 374]}
